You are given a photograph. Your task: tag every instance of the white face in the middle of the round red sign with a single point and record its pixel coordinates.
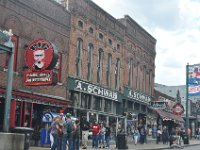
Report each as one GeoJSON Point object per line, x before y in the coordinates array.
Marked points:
{"type": "Point", "coordinates": [39, 56]}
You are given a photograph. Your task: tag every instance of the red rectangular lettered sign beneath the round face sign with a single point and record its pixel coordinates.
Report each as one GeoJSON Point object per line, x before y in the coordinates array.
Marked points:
{"type": "Point", "coordinates": [38, 78]}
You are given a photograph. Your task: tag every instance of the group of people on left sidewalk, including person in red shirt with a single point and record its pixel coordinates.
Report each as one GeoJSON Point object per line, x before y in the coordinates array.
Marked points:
{"type": "Point", "coordinates": [70, 134]}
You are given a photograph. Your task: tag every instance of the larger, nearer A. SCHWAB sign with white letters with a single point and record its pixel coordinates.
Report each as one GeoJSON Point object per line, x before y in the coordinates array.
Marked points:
{"type": "Point", "coordinates": [79, 85]}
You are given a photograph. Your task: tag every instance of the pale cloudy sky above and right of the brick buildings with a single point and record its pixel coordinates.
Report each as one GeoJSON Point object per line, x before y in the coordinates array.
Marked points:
{"type": "Point", "coordinates": [175, 24]}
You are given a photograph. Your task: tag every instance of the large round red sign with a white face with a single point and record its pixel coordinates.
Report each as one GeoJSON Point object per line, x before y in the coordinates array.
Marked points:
{"type": "Point", "coordinates": [41, 55]}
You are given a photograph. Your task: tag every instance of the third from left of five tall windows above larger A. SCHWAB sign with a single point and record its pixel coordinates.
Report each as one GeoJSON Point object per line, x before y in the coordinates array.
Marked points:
{"type": "Point", "coordinates": [99, 66]}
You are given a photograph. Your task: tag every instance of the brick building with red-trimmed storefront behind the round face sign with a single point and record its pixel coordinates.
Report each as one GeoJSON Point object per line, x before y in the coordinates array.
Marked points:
{"type": "Point", "coordinates": [30, 21]}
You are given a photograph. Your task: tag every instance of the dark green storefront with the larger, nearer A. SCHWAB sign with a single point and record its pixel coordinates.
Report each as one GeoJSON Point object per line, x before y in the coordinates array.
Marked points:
{"type": "Point", "coordinates": [96, 103]}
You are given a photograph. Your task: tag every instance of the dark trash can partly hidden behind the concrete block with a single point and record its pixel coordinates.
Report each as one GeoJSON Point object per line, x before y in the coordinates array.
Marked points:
{"type": "Point", "coordinates": [24, 130]}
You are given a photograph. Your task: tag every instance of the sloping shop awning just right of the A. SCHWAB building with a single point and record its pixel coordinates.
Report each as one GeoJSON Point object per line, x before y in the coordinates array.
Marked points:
{"type": "Point", "coordinates": [169, 116]}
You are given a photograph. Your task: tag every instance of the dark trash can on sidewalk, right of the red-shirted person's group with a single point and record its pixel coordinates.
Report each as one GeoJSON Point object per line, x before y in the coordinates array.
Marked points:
{"type": "Point", "coordinates": [121, 141]}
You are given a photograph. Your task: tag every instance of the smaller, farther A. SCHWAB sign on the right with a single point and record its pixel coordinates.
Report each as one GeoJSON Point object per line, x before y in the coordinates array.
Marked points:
{"type": "Point", "coordinates": [134, 95]}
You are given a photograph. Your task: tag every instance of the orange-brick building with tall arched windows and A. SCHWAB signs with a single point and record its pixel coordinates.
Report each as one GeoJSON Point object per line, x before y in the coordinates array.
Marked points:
{"type": "Point", "coordinates": [111, 64]}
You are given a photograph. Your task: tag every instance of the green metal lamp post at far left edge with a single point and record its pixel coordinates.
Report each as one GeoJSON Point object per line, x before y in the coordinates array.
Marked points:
{"type": "Point", "coordinates": [8, 48]}
